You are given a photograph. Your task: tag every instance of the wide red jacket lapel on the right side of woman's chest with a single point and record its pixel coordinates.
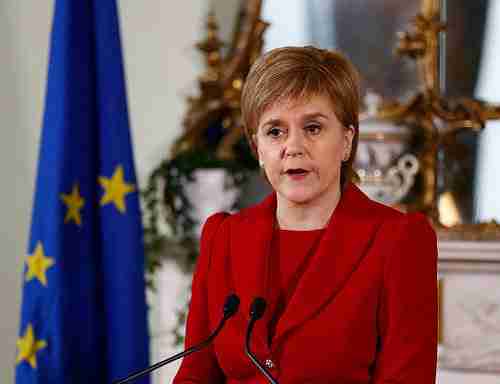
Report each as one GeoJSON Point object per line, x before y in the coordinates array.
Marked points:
{"type": "Point", "coordinates": [342, 247]}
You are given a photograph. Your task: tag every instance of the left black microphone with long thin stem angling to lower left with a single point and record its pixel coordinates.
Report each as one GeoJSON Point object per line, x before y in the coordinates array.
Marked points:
{"type": "Point", "coordinates": [230, 308]}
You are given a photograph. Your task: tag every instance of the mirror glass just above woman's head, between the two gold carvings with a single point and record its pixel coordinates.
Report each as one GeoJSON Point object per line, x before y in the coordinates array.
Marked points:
{"type": "Point", "coordinates": [364, 30]}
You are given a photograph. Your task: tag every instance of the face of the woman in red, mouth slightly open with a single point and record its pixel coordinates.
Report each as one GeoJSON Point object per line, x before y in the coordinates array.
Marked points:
{"type": "Point", "coordinates": [301, 145]}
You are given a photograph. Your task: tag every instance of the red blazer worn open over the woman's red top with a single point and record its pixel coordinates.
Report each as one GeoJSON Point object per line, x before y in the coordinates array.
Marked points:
{"type": "Point", "coordinates": [364, 311]}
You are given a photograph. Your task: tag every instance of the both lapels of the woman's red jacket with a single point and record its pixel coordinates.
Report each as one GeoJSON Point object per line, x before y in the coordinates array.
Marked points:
{"type": "Point", "coordinates": [339, 252]}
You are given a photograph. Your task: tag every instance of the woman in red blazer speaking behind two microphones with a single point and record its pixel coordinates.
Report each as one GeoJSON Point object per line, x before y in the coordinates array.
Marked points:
{"type": "Point", "coordinates": [350, 284]}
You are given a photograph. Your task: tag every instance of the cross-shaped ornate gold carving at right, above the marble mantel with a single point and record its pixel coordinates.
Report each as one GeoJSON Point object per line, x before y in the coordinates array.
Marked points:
{"type": "Point", "coordinates": [437, 118]}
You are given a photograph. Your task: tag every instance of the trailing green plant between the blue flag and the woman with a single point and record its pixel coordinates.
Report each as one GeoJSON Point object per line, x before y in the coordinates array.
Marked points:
{"type": "Point", "coordinates": [169, 225]}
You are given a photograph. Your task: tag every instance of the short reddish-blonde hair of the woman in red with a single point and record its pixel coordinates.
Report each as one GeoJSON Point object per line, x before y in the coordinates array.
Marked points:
{"type": "Point", "coordinates": [298, 73]}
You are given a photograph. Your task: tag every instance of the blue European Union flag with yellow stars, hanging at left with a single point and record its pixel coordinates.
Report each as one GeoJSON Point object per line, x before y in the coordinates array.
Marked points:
{"type": "Point", "coordinates": [83, 314]}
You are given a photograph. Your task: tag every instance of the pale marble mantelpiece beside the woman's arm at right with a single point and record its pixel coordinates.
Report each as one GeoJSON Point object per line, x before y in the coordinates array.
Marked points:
{"type": "Point", "coordinates": [470, 307]}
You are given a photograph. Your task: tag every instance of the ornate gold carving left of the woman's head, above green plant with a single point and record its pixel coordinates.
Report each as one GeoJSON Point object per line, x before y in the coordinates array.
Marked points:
{"type": "Point", "coordinates": [221, 84]}
